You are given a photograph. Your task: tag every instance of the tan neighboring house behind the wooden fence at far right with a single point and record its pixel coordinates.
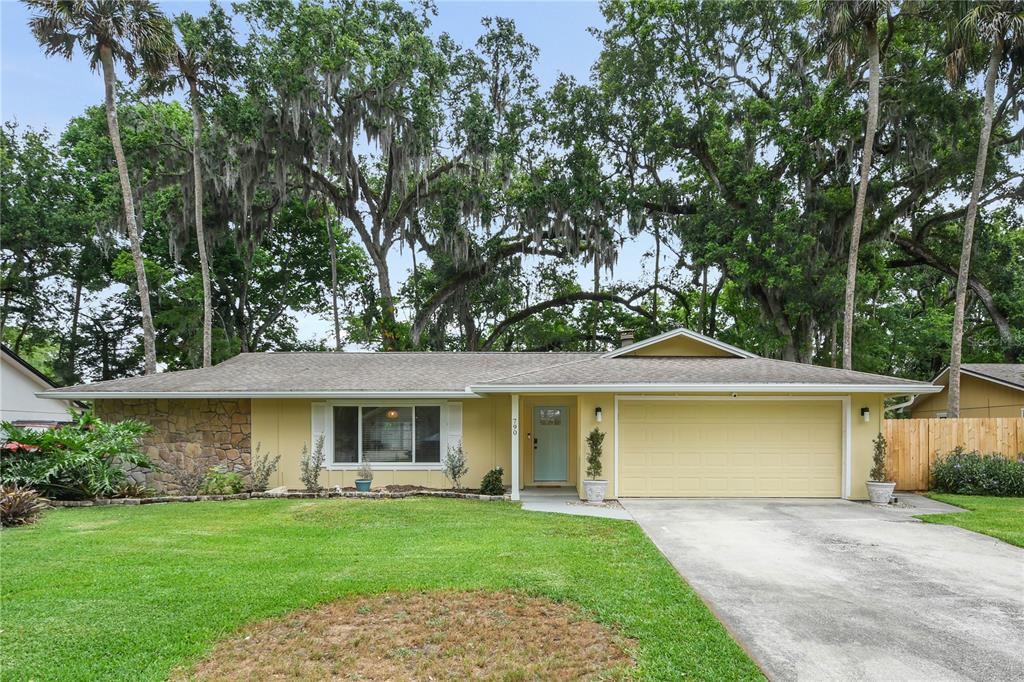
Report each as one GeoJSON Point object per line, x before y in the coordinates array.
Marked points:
{"type": "Point", "coordinates": [988, 390]}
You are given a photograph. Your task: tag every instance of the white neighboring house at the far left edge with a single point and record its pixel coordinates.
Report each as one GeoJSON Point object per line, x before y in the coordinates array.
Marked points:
{"type": "Point", "coordinates": [19, 385]}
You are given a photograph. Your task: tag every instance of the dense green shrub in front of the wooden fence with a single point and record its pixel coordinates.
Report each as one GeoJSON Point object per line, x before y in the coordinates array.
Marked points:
{"type": "Point", "coordinates": [972, 474]}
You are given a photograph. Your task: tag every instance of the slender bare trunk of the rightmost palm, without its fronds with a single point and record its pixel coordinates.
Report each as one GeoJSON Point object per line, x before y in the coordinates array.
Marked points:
{"type": "Point", "coordinates": [957, 348]}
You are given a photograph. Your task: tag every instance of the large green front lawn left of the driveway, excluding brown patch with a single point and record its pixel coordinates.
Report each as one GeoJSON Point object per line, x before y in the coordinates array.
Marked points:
{"type": "Point", "coordinates": [133, 593]}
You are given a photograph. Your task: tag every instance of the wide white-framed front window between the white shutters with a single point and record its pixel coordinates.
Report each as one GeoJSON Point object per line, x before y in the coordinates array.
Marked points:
{"type": "Point", "coordinates": [389, 435]}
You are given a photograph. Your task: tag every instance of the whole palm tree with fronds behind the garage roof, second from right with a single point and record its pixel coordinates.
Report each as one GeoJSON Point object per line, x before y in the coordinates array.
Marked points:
{"type": "Point", "coordinates": [846, 23]}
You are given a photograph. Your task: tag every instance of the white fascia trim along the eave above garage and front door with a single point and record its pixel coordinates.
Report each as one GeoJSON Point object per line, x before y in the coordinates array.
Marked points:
{"type": "Point", "coordinates": [895, 390]}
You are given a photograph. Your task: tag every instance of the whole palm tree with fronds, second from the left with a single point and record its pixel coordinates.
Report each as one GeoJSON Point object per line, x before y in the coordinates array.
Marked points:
{"type": "Point", "coordinates": [204, 61]}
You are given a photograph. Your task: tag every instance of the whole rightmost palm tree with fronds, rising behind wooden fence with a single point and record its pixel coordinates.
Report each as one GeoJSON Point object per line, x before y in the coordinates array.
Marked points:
{"type": "Point", "coordinates": [1001, 25]}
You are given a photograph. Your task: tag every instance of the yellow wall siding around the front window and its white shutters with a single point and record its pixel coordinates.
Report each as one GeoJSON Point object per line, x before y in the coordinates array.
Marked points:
{"type": "Point", "coordinates": [285, 427]}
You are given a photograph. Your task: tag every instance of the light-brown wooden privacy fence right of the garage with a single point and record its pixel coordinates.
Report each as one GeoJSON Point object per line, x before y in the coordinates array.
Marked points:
{"type": "Point", "coordinates": [914, 444]}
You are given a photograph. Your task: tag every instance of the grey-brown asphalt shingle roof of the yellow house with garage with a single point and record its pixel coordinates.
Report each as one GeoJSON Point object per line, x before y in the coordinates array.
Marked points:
{"type": "Point", "coordinates": [444, 373]}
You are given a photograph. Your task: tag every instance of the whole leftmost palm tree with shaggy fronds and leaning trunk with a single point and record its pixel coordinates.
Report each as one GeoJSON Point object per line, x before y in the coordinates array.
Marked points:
{"type": "Point", "coordinates": [138, 35]}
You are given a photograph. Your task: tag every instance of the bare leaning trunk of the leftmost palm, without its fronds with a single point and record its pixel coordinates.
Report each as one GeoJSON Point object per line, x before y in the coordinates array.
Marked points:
{"type": "Point", "coordinates": [149, 334]}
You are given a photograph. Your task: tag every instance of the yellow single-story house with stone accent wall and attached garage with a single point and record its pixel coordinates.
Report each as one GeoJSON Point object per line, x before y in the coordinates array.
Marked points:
{"type": "Point", "coordinates": [685, 415]}
